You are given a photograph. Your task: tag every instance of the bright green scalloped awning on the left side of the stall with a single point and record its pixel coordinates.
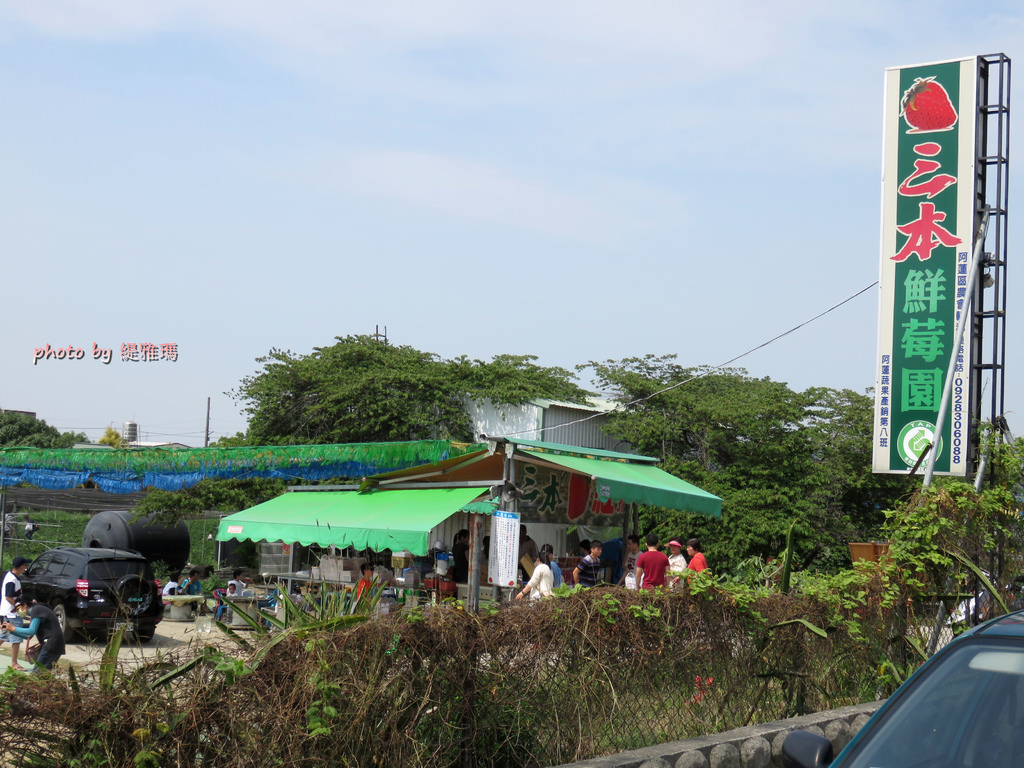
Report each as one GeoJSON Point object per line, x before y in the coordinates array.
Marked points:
{"type": "Point", "coordinates": [378, 520]}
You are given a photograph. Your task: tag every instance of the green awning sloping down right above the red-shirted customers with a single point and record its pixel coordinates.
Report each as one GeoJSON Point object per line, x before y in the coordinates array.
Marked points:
{"type": "Point", "coordinates": [643, 484]}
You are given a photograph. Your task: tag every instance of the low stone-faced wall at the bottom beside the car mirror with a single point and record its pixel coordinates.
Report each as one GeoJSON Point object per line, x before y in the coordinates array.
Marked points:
{"type": "Point", "coordinates": [754, 747]}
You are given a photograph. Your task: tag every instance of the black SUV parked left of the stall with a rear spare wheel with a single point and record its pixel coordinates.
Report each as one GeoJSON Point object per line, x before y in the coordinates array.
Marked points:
{"type": "Point", "coordinates": [97, 589]}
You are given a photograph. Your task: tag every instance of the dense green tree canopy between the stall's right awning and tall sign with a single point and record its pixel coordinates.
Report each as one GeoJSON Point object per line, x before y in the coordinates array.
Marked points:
{"type": "Point", "coordinates": [774, 456]}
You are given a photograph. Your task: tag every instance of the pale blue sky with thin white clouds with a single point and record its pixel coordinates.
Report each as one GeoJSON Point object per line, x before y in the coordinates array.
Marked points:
{"type": "Point", "coordinates": [582, 181]}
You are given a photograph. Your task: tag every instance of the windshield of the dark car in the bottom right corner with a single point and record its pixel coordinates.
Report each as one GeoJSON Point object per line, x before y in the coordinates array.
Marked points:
{"type": "Point", "coordinates": [966, 712]}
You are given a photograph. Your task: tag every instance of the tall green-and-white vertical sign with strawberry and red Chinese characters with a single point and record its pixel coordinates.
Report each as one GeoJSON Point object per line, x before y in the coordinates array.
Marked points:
{"type": "Point", "coordinates": [928, 224]}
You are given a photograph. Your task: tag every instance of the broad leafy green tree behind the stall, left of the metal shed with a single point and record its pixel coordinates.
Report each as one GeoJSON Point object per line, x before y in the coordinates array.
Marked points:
{"type": "Point", "coordinates": [363, 390]}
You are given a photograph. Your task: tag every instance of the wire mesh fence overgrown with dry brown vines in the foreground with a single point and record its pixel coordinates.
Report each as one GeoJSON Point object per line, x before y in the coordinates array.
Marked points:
{"type": "Point", "coordinates": [534, 684]}
